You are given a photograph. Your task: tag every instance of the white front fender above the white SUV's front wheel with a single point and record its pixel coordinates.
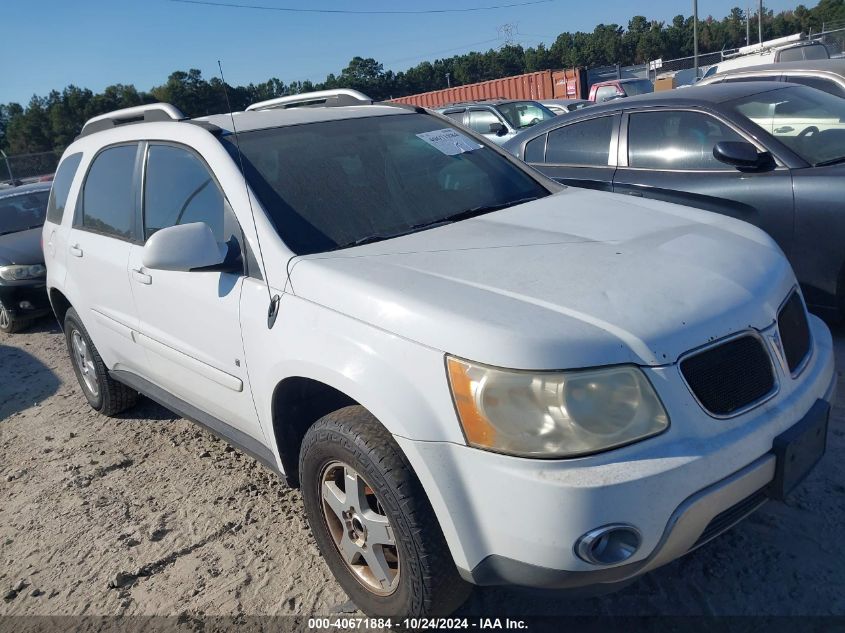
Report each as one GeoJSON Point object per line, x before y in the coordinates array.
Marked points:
{"type": "Point", "coordinates": [401, 382]}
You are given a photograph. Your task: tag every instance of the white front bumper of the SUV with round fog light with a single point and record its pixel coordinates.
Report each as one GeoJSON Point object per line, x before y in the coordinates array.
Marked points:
{"type": "Point", "coordinates": [512, 520]}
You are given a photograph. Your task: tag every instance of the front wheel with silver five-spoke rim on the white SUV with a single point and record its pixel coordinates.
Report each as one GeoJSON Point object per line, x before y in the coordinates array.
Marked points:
{"type": "Point", "coordinates": [372, 520]}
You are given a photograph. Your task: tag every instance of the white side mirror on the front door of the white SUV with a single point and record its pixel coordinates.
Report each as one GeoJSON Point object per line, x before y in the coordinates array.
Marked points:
{"type": "Point", "coordinates": [184, 247]}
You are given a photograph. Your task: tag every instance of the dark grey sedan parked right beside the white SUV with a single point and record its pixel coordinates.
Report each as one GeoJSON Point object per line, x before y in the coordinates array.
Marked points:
{"type": "Point", "coordinates": [767, 153]}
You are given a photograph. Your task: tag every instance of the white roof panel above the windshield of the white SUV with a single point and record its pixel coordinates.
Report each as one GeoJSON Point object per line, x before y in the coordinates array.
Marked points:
{"type": "Point", "coordinates": [282, 117]}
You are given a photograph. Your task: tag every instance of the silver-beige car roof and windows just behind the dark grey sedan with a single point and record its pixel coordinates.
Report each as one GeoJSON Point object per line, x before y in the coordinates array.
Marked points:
{"type": "Point", "coordinates": [823, 74]}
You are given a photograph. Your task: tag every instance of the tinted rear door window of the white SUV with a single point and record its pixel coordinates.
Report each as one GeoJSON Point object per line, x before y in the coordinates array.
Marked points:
{"type": "Point", "coordinates": [107, 199]}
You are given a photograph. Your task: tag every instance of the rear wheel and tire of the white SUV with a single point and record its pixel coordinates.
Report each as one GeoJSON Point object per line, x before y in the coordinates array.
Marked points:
{"type": "Point", "coordinates": [103, 393]}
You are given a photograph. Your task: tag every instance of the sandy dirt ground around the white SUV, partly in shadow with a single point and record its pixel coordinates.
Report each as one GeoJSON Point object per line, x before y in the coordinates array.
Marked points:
{"type": "Point", "coordinates": [149, 514]}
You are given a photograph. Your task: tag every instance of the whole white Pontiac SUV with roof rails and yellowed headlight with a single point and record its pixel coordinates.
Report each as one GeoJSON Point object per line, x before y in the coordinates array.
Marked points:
{"type": "Point", "coordinates": [476, 376]}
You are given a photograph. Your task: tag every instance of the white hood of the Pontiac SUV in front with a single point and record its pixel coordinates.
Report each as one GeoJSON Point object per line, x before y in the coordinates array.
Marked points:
{"type": "Point", "coordinates": [576, 279]}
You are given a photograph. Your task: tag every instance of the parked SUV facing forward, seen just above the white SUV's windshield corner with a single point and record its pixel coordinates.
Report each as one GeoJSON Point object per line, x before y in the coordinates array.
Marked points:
{"type": "Point", "coordinates": [497, 120]}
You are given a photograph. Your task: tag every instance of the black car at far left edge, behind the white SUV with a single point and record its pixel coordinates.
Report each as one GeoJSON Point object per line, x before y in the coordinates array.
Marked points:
{"type": "Point", "coordinates": [22, 273]}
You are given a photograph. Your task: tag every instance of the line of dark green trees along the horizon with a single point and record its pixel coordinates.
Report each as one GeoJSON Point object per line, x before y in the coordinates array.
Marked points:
{"type": "Point", "coordinates": [50, 123]}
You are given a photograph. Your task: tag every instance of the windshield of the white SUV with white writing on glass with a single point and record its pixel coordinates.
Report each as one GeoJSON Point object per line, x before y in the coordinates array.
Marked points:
{"type": "Point", "coordinates": [333, 184]}
